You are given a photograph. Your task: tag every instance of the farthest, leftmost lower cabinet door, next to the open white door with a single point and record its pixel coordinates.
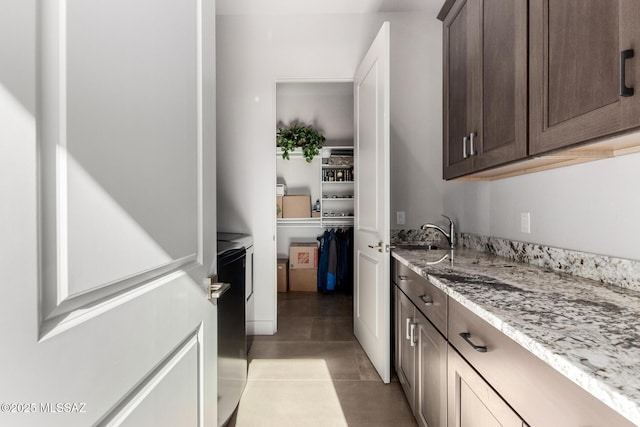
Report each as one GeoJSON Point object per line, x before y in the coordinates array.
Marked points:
{"type": "Point", "coordinates": [406, 338]}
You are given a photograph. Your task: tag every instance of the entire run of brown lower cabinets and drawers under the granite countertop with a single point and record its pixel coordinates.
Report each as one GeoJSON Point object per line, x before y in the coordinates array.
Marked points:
{"type": "Point", "coordinates": [467, 373]}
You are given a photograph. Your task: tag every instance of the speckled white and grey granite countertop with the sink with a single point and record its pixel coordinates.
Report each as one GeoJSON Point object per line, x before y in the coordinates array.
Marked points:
{"type": "Point", "coordinates": [586, 330]}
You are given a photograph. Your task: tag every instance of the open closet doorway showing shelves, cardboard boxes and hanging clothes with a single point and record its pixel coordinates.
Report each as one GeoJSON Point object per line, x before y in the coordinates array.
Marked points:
{"type": "Point", "coordinates": [315, 214]}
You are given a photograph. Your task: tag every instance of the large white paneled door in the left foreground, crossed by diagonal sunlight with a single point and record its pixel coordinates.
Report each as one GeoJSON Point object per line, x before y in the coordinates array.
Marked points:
{"type": "Point", "coordinates": [107, 212]}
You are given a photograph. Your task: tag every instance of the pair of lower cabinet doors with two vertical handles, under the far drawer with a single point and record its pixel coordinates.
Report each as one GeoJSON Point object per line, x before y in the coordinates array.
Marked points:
{"type": "Point", "coordinates": [421, 363]}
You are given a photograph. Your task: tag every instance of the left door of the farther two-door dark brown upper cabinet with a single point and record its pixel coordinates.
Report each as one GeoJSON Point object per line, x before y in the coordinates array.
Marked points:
{"type": "Point", "coordinates": [460, 34]}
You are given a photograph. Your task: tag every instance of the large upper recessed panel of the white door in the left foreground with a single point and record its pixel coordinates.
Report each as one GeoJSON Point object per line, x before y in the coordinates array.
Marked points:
{"type": "Point", "coordinates": [108, 79]}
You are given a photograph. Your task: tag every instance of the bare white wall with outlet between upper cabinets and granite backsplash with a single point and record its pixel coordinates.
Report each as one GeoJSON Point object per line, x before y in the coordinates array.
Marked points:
{"type": "Point", "coordinates": [592, 207]}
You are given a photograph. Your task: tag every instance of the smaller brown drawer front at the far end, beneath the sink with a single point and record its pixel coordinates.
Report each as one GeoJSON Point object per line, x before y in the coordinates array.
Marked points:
{"type": "Point", "coordinates": [430, 300]}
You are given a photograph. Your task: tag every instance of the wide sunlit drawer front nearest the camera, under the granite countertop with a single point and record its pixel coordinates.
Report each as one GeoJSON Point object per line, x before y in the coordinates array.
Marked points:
{"type": "Point", "coordinates": [540, 394]}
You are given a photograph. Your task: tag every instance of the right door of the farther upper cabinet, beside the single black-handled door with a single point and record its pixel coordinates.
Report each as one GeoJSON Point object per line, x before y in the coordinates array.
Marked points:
{"type": "Point", "coordinates": [501, 128]}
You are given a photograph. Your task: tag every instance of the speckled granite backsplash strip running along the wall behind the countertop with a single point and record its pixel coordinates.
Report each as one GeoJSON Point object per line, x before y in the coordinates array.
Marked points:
{"type": "Point", "coordinates": [605, 269]}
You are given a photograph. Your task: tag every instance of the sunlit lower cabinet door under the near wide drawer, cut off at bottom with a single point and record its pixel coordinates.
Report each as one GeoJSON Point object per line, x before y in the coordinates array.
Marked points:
{"type": "Point", "coordinates": [472, 402]}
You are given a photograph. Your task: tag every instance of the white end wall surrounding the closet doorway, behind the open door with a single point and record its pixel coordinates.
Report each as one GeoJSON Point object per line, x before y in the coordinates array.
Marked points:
{"type": "Point", "coordinates": [256, 51]}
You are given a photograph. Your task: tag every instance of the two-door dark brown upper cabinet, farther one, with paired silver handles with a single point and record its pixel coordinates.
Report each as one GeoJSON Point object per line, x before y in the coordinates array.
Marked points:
{"type": "Point", "coordinates": [485, 84]}
